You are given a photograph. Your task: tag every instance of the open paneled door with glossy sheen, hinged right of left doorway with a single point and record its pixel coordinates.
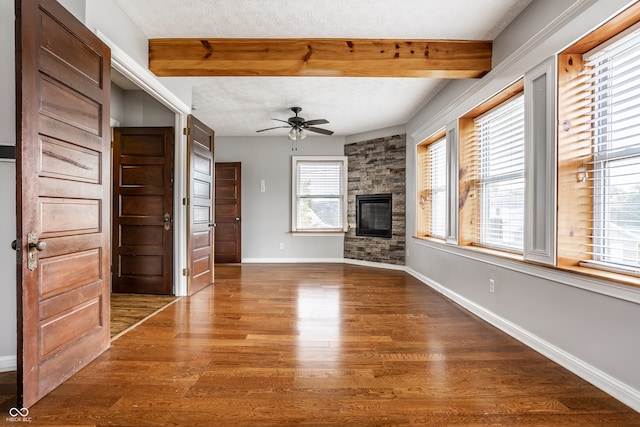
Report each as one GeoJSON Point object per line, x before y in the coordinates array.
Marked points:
{"type": "Point", "coordinates": [201, 181]}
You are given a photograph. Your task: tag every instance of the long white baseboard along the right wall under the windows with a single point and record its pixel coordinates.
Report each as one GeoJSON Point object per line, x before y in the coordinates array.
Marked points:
{"type": "Point", "coordinates": [610, 385]}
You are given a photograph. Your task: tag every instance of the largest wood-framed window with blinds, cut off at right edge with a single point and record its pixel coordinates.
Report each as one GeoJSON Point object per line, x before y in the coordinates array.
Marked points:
{"type": "Point", "coordinates": [599, 150]}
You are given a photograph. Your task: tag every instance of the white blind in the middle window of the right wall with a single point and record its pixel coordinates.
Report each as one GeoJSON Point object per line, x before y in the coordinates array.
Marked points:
{"type": "Point", "coordinates": [500, 133]}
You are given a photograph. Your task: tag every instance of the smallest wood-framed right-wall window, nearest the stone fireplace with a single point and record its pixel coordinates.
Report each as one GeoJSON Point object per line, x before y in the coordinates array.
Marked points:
{"type": "Point", "coordinates": [432, 186]}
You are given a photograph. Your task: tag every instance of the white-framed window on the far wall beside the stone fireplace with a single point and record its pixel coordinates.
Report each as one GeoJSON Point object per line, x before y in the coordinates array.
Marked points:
{"type": "Point", "coordinates": [319, 194]}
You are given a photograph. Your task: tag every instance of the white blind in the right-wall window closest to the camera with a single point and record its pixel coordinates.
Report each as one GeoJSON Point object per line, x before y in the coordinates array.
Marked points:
{"type": "Point", "coordinates": [614, 97]}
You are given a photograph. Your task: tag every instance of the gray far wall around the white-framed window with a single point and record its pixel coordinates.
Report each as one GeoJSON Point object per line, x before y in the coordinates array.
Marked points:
{"type": "Point", "coordinates": [266, 217]}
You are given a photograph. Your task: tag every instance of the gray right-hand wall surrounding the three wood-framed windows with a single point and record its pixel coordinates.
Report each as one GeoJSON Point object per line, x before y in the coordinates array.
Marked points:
{"type": "Point", "coordinates": [590, 325]}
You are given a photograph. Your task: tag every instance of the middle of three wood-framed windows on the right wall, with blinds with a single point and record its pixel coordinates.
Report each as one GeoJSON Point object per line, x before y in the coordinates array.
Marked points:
{"type": "Point", "coordinates": [491, 180]}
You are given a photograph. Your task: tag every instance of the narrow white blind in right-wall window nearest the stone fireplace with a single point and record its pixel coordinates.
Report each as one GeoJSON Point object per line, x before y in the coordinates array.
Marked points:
{"type": "Point", "coordinates": [438, 179]}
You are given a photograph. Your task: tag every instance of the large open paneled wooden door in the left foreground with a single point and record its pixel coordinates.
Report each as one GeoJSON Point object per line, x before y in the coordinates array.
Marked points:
{"type": "Point", "coordinates": [62, 187]}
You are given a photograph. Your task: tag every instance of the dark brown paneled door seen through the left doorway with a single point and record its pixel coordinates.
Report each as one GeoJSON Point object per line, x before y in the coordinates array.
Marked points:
{"type": "Point", "coordinates": [143, 210]}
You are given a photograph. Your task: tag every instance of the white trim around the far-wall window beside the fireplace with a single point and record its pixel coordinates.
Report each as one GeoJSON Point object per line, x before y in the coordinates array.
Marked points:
{"type": "Point", "coordinates": [343, 196]}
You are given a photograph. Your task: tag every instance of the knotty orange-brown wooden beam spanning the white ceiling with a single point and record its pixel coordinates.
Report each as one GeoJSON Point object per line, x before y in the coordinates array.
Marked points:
{"type": "Point", "coordinates": [320, 57]}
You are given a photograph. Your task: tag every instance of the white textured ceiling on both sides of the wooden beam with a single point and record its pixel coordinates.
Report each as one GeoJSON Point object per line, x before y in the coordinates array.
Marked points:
{"type": "Point", "coordinates": [238, 106]}
